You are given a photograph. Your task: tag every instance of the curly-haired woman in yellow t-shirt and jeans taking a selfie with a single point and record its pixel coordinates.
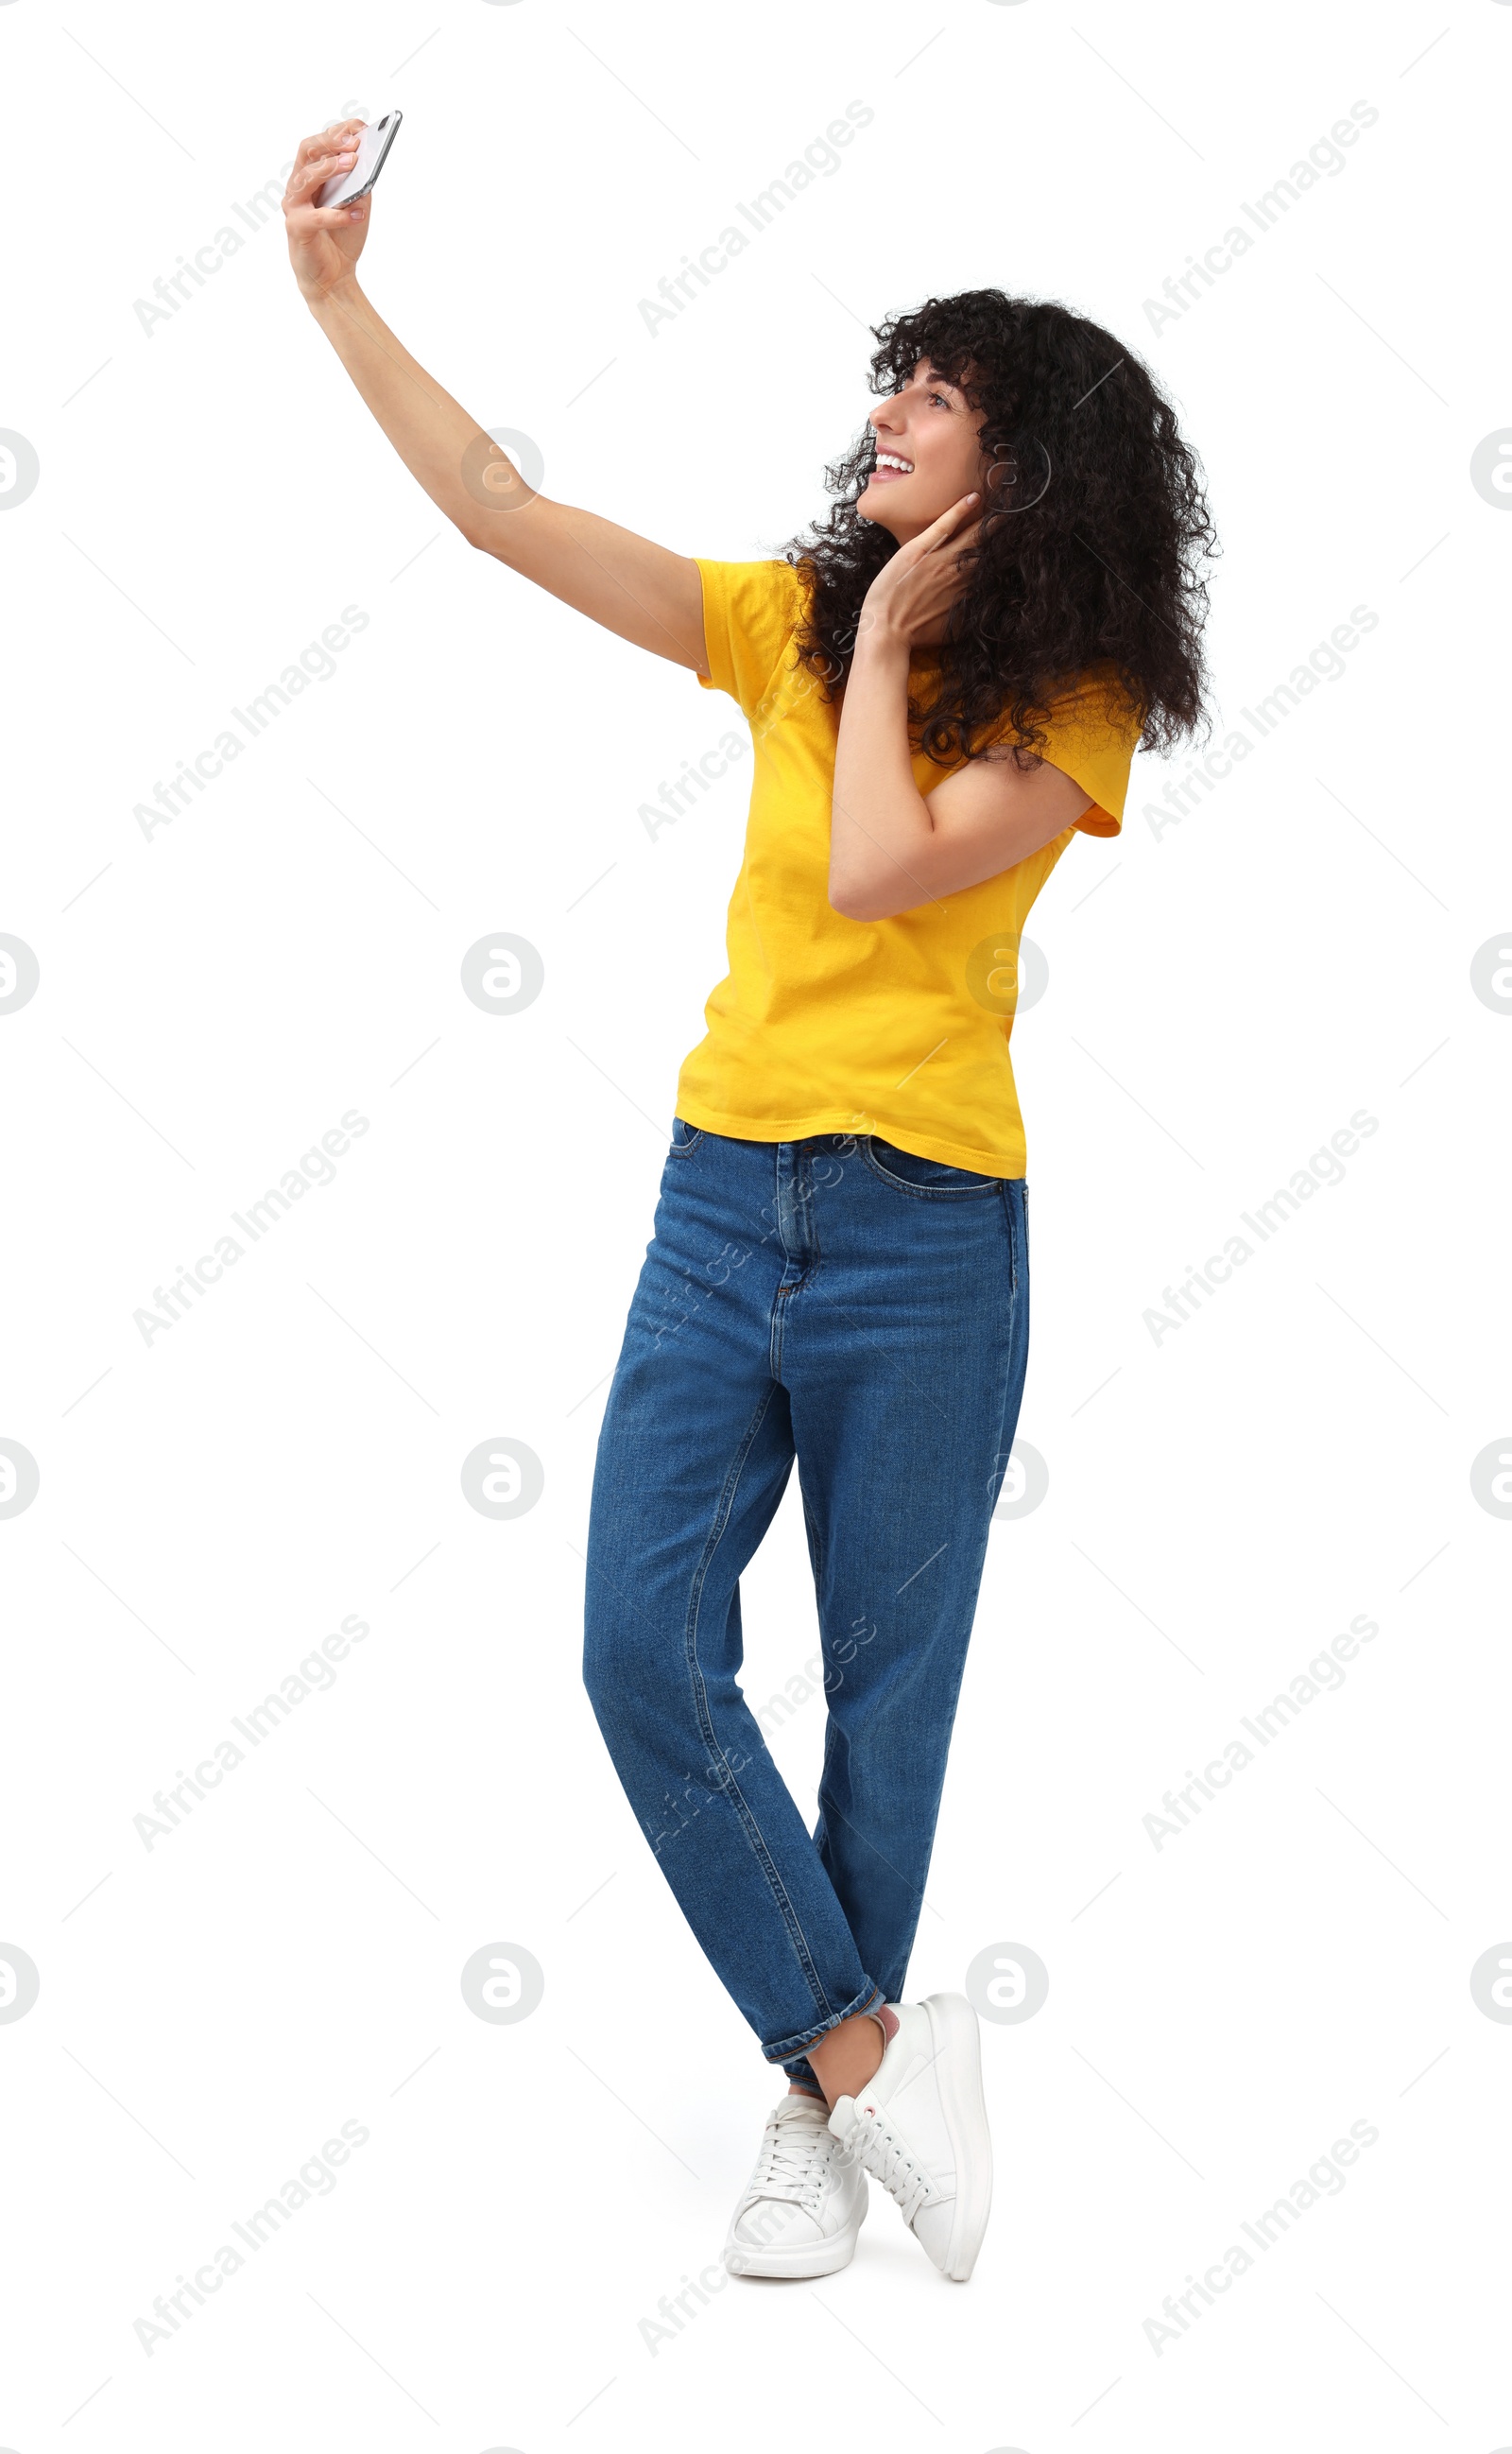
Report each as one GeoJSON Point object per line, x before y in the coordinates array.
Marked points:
{"type": "Point", "coordinates": [946, 681]}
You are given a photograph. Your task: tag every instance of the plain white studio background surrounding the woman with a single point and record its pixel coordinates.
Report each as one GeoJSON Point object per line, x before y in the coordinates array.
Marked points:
{"type": "Point", "coordinates": [1224, 998]}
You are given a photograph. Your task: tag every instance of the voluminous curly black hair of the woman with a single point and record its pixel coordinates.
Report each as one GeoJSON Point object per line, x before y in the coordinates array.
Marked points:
{"type": "Point", "coordinates": [1091, 548]}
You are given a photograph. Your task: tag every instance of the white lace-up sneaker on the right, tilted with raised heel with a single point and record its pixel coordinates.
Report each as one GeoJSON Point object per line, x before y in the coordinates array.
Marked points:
{"type": "Point", "coordinates": [922, 2129]}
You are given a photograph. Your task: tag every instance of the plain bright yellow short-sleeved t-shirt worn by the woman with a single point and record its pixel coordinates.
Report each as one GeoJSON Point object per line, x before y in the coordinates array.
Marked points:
{"type": "Point", "coordinates": [865, 1027]}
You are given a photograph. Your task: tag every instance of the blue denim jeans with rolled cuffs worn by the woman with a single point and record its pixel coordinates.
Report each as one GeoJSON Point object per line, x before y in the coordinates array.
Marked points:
{"type": "Point", "coordinates": [863, 1312]}
